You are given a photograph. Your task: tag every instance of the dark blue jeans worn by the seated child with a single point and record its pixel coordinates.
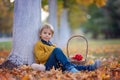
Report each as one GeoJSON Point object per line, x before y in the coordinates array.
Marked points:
{"type": "Point", "coordinates": [58, 58]}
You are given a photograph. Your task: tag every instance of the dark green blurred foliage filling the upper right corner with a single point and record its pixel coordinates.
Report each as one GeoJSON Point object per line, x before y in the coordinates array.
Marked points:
{"type": "Point", "coordinates": [103, 21]}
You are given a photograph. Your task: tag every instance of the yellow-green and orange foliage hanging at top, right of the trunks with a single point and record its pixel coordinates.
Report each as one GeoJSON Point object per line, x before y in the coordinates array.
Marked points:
{"type": "Point", "coordinates": [78, 10]}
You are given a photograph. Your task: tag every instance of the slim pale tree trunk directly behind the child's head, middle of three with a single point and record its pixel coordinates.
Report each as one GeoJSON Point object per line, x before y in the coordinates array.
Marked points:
{"type": "Point", "coordinates": [53, 18]}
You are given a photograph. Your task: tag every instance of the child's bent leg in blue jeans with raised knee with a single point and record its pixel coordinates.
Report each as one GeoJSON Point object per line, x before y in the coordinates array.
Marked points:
{"type": "Point", "coordinates": [58, 56]}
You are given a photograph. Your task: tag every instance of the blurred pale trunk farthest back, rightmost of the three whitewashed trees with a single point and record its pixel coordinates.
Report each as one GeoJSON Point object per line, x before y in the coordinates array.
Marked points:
{"type": "Point", "coordinates": [64, 28]}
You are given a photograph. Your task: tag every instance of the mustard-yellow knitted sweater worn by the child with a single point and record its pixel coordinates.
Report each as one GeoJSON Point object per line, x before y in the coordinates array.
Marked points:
{"type": "Point", "coordinates": [42, 52]}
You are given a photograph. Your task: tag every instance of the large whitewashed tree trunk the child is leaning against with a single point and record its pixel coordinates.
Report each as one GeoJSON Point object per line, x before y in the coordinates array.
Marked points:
{"type": "Point", "coordinates": [27, 20]}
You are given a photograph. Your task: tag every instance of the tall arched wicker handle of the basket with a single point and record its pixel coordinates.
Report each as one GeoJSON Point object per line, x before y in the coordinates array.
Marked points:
{"type": "Point", "coordinates": [85, 41]}
